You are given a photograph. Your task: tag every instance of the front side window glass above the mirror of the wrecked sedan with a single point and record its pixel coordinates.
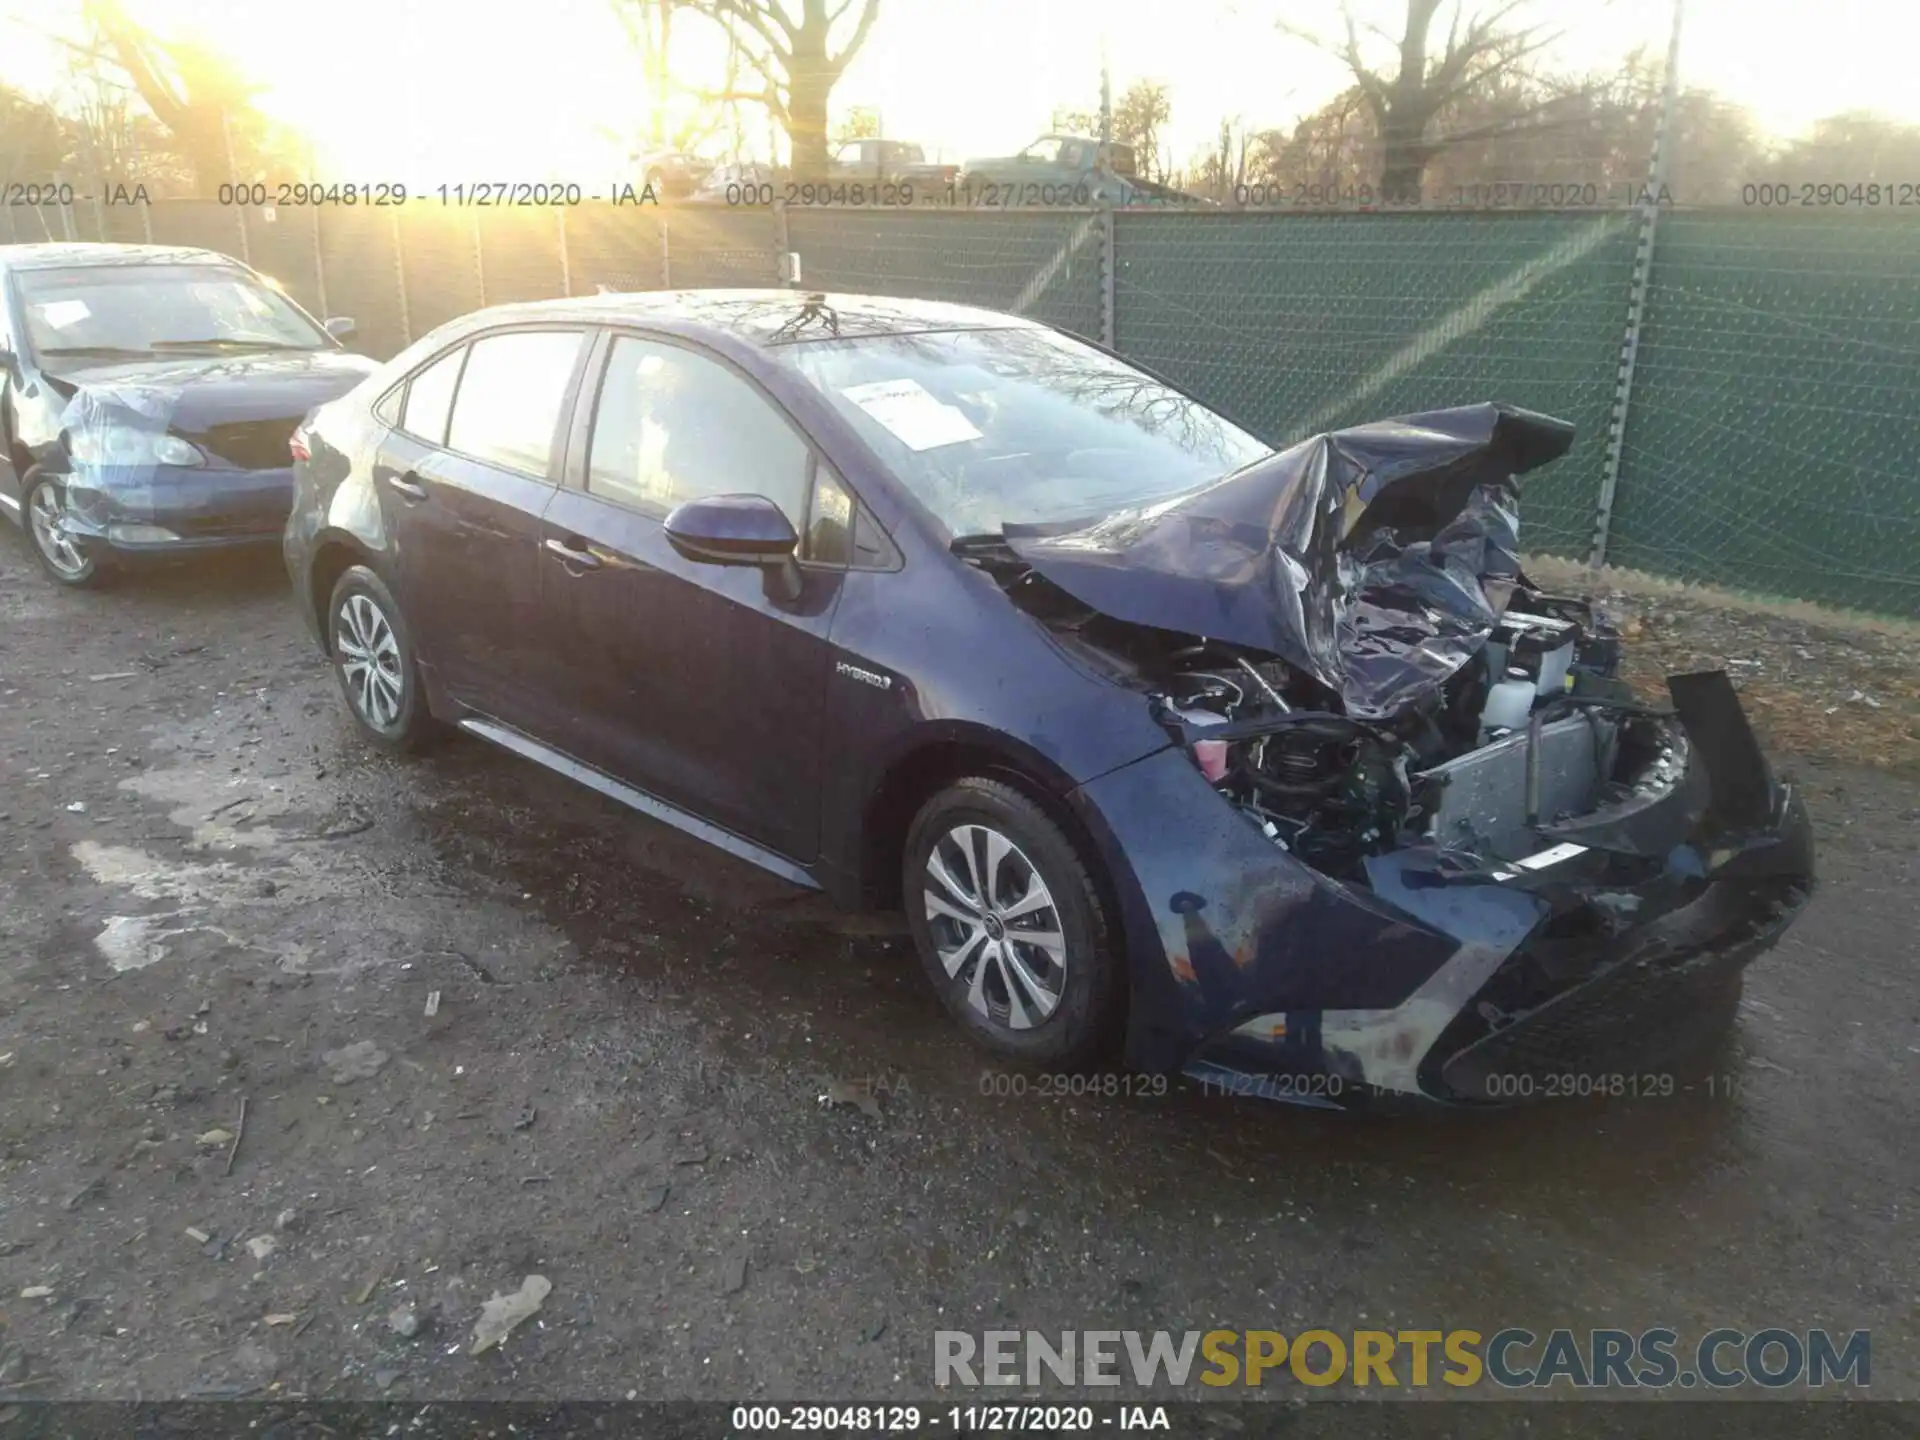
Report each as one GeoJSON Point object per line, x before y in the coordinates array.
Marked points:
{"type": "Point", "coordinates": [675, 425]}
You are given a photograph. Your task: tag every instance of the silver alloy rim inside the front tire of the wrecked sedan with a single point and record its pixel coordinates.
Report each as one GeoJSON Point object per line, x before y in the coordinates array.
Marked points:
{"type": "Point", "coordinates": [996, 926]}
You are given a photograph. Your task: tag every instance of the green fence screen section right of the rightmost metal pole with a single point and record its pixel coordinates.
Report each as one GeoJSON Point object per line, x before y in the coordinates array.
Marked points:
{"type": "Point", "coordinates": [1775, 431]}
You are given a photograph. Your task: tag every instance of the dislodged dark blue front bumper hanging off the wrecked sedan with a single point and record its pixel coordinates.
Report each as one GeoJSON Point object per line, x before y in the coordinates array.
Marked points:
{"type": "Point", "coordinates": [1596, 967]}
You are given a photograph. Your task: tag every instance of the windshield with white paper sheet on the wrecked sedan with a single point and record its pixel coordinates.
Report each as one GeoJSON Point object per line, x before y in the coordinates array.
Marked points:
{"type": "Point", "coordinates": [1020, 425]}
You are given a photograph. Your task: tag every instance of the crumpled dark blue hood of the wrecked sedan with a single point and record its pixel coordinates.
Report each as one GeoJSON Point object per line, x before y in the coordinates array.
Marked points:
{"type": "Point", "coordinates": [1378, 560]}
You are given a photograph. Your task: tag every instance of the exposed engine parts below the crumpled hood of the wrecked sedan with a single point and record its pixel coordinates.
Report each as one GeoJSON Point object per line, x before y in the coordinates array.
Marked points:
{"type": "Point", "coordinates": [1535, 729]}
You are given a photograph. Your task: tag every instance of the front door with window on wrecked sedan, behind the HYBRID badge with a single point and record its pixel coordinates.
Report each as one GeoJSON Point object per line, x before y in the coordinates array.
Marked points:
{"type": "Point", "coordinates": [696, 683]}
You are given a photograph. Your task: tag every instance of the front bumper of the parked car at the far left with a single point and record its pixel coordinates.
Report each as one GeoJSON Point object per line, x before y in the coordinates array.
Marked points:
{"type": "Point", "coordinates": [176, 510]}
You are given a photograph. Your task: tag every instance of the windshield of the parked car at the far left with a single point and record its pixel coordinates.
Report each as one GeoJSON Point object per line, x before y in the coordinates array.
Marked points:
{"type": "Point", "coordinates": [156, 310]}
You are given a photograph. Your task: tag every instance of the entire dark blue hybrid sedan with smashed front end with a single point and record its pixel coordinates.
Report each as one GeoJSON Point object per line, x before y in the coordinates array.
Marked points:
{"type": "Point", "coordinates": [1268, 767]}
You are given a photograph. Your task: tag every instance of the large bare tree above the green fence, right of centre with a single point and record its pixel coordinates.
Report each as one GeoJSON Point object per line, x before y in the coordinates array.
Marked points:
{"type": "Point", "coordinates": [1406, 105]}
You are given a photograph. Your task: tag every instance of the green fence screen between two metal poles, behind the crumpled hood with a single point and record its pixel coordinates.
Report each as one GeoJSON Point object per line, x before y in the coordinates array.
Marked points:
{"type": "Point", "coordinates": [1324, 322]}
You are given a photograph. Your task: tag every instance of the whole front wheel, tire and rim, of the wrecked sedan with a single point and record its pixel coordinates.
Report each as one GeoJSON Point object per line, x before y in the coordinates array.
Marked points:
{"type": "Point", "coordinates": [1011, 926]}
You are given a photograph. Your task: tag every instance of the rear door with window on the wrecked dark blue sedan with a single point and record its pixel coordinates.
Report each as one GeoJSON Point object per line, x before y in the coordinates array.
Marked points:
{"type": "Point", "coordinates": [464, 481]}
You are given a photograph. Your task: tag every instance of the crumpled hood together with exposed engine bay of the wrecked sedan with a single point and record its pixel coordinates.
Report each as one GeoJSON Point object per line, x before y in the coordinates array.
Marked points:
{"type": "Point", "coordinates": [1347, 644]}
